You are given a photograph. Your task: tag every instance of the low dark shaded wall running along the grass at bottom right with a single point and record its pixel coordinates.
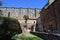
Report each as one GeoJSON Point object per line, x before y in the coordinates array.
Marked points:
{"type": "Point", "coordinates": [46, 36]}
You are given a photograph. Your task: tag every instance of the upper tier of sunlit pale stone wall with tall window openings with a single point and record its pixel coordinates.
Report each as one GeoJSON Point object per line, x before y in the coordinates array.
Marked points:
{"type": "Point", "coordinates": [18, 13]}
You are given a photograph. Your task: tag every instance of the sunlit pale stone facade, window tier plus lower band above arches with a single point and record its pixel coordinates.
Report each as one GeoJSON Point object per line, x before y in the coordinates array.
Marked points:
{"type": "Point", "coordinates": [18, 13]}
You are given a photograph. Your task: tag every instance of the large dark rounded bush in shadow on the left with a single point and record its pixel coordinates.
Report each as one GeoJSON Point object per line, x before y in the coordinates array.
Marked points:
{"type": "Point", "coordinates": [9, 27]}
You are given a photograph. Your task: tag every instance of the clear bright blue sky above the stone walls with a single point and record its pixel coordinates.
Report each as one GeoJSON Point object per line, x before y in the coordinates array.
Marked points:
{"type": "Point", "coordinates": [24, 3]}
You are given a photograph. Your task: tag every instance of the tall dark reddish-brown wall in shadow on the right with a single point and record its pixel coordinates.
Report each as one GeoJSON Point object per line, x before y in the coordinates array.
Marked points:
{"type": "Point", "coordinates": [50, 17]}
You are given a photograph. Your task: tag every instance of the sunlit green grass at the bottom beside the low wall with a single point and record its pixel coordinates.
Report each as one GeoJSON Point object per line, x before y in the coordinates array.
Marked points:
{"type": "Point", "coordinates": [25, 36]}
